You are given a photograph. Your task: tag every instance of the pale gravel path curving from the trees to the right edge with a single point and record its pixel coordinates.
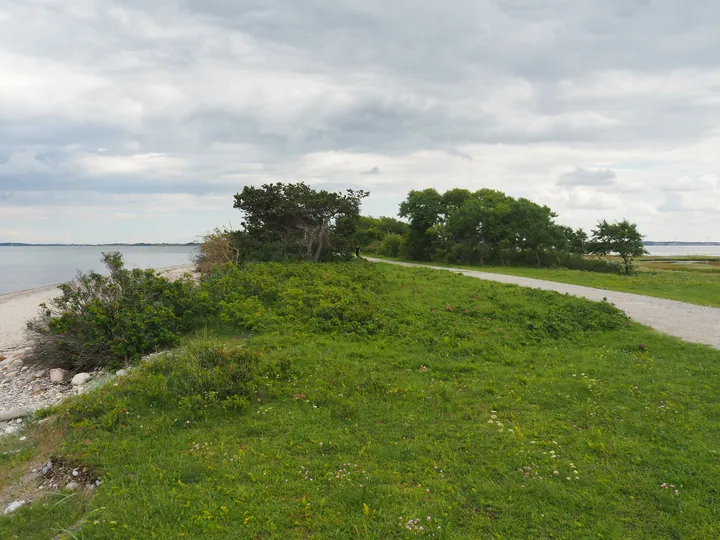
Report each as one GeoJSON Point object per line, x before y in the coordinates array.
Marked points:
{"type": "Point", "coordinates": [699, 324]}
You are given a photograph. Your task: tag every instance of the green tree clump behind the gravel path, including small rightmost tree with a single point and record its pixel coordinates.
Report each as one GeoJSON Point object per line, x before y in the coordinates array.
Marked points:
{"type": "Point", "coordinates": [490, 227]}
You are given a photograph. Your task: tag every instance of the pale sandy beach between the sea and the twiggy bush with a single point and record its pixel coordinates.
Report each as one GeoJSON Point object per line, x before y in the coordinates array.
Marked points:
{"type": "Point", "coordinates": [16, 308]}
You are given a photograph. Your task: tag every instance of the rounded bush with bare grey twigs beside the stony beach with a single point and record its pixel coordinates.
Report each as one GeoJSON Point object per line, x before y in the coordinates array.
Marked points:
{"type": "Point", "coordinates": [105, 319]}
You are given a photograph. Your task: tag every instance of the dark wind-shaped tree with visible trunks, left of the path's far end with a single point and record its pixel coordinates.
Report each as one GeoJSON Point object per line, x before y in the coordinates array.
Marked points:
{"type": "Point", "coordinates": [295, 221]}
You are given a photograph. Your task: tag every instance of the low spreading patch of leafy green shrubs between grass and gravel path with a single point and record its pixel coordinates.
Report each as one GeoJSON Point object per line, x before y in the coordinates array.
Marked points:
{"type": "Point", "coordinates": [352, 298]}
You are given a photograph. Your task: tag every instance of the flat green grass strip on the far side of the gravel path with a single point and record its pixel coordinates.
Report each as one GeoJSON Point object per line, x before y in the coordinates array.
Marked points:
{"type": "Point", "coordinates": [675, 279]}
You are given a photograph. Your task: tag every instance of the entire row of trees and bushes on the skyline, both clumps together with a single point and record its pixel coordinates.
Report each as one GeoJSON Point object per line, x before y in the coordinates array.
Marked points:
{"type": "Point", "coordinates": [296, 222]}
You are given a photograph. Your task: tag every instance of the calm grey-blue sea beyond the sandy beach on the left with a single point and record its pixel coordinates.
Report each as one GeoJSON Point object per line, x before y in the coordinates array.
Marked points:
{"type": "Point", "coordinates": [30, 267]}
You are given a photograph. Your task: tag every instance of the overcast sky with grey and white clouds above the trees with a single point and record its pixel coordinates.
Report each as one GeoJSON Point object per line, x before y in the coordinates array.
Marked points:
{"type": "Point", "coordinates": [138, 120]}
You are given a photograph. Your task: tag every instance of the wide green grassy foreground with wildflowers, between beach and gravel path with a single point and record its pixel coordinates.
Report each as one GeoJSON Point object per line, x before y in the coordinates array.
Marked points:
{"type": "Point", "coordinates": [370, 401]}
